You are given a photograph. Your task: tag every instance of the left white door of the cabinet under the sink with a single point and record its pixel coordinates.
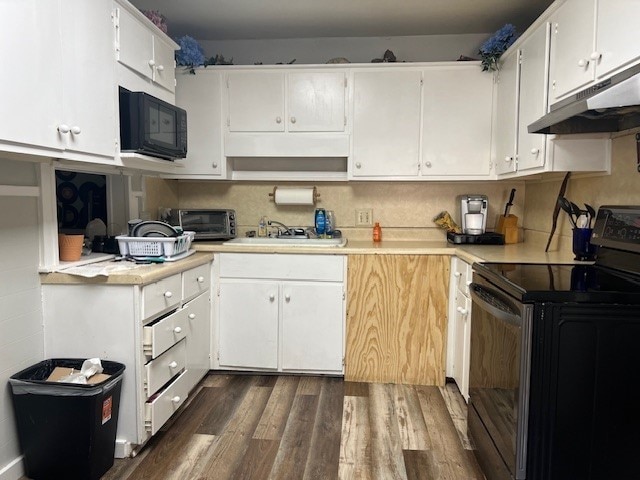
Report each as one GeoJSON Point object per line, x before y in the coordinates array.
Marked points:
{"type": "Point", "coordinates": [248, 323]}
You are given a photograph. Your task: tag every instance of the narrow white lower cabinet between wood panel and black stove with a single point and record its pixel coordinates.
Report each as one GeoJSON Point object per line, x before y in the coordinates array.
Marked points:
{"type": "Point", "coordinates": [459, 325]}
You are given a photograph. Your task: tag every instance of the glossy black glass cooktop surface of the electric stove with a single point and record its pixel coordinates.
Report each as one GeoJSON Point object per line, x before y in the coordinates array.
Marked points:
{"type": "Point", "coordinates": [562, 283]}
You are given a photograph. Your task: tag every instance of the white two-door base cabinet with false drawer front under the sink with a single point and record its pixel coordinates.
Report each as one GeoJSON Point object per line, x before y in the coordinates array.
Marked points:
{"type": "Point", "coordinates": [280, 313]}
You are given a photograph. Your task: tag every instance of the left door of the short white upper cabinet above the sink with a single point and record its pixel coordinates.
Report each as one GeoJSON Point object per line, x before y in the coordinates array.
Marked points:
{"type": "Point", "coordinates": [256, 102]}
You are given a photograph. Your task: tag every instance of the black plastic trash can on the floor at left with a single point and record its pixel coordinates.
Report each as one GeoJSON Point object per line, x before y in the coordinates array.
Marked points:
{"type": "Point", "coordinates": [66, 430]}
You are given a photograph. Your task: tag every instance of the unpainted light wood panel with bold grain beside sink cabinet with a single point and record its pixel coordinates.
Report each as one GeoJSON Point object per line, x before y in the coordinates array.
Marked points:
{"type": "Point", "coordinates": [397, 319]}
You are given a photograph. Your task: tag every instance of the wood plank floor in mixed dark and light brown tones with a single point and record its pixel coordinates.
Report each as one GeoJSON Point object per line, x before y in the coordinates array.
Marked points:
{"type": "Point", "coordinates": [290, 427]}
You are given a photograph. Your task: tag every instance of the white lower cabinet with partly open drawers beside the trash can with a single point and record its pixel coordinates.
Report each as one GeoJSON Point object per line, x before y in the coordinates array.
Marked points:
{"type": "Point", "coordinates": [161, 331]}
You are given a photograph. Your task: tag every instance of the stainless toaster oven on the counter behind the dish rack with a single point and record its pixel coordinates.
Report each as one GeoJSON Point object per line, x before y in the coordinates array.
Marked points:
{"type": "Point", "coordinates": [209, 224]}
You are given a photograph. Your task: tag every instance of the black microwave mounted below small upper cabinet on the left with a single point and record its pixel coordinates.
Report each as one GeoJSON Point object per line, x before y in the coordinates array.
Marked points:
{"type": "Point", "coordinates": [151, 126]}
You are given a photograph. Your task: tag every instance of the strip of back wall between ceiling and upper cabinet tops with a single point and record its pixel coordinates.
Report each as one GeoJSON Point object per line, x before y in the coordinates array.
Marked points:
{"type": "Point", "coordinates": [423, 48]}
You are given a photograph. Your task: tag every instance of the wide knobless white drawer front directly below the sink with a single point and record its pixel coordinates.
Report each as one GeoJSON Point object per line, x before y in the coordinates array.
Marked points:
{"type": "Point", "coordinates": [327, 268]}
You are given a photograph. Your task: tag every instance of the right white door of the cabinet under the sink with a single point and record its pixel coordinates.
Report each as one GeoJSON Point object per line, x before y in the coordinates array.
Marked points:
{"type": "Point", "coordinates": [312, 326]}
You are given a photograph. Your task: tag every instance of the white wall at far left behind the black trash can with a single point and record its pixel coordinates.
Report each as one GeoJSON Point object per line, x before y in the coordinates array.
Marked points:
{"type": "Point", "coordinates": [21, 334]}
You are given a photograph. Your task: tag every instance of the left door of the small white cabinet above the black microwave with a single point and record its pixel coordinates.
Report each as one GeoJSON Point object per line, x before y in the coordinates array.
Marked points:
{"type": "Point", "coordinates": [135, 44]}
